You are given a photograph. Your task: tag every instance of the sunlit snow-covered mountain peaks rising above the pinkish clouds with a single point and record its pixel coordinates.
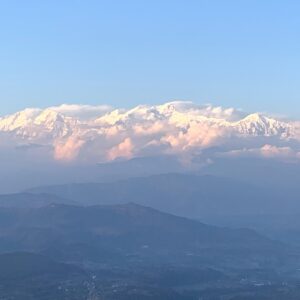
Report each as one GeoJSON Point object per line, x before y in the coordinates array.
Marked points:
{"type": "Point", "coordinates": [35, 124]}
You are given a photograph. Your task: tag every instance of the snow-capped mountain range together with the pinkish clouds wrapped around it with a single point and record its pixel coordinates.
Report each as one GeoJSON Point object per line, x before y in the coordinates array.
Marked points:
{"type": "Point", "coordinates": [101, 134]}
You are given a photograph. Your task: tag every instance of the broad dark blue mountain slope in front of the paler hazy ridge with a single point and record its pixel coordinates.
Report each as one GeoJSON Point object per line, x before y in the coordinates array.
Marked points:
{"type": "Point", "coordinates": [127, 233]}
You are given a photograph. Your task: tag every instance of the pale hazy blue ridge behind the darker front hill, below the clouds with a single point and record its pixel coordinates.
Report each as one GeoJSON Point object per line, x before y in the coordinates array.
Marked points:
{"type": "Point", "coordinates": [186, 195]}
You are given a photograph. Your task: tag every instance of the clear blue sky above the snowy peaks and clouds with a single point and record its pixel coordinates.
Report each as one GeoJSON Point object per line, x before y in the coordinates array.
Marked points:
{"type": "Point", "coordinates": [243, 53]}
